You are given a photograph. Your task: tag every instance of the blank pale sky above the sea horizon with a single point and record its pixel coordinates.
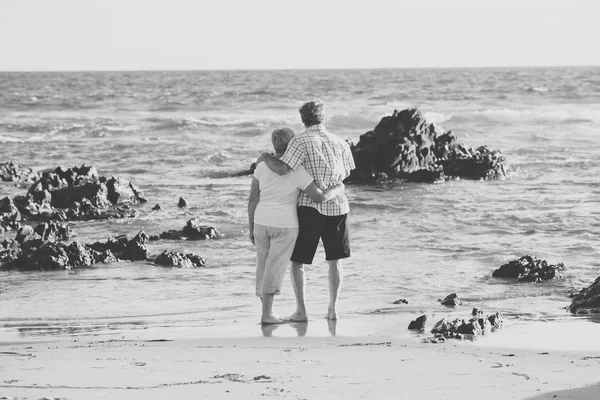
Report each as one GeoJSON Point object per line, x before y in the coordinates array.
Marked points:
{"type": "Point", "coordinates": [65, 35]}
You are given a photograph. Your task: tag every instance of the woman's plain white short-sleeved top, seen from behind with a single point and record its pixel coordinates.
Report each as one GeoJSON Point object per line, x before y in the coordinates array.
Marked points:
{"type": "Point", "coordinates": [279, 196]}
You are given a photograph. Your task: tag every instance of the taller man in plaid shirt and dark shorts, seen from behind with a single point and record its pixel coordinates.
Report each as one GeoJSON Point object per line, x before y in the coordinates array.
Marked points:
{"type": "Point", "coordinates": [329, 160]}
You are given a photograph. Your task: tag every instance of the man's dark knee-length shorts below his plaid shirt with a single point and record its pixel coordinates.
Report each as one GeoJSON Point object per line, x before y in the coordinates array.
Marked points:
{"type": "Point", "coordinates": [332, 230]}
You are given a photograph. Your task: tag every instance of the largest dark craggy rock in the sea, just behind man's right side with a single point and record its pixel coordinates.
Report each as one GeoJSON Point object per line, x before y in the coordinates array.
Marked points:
{"type": "Point", "coordinates": [405, 146]}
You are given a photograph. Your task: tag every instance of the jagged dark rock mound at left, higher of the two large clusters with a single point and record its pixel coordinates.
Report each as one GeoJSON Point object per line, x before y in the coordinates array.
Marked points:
{"type": "Point", "coordinates": [78, 194]}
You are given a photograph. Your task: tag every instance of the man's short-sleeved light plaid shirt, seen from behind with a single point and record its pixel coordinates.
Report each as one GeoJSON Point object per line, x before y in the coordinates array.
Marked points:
{"type": "Point", "coordinates": [328, 159]}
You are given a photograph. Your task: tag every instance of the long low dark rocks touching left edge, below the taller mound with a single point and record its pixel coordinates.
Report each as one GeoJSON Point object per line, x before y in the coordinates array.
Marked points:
{"type": "Point", "coordinates": [29, 251]}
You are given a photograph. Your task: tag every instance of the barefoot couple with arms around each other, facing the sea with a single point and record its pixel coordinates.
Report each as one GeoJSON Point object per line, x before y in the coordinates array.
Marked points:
{"type": "Point", "coordinates": [297, 197]}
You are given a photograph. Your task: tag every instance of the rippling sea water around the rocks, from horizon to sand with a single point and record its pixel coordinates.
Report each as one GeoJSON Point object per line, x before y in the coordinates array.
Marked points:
{"type": "Point", "coordinates": [184, 134]}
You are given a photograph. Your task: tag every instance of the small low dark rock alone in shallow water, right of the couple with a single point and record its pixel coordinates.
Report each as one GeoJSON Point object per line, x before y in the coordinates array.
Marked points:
{"type": "Point", "coordinates": [529, 269]}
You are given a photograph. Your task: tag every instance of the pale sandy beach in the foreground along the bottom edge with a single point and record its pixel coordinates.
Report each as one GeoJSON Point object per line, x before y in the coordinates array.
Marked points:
{"type": "Point", "coordinates": [313, 360]}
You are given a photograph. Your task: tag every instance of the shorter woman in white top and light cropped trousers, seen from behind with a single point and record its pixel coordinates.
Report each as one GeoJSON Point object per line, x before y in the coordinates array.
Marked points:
{"type": "Point", "coordinates": [273, 221]}
